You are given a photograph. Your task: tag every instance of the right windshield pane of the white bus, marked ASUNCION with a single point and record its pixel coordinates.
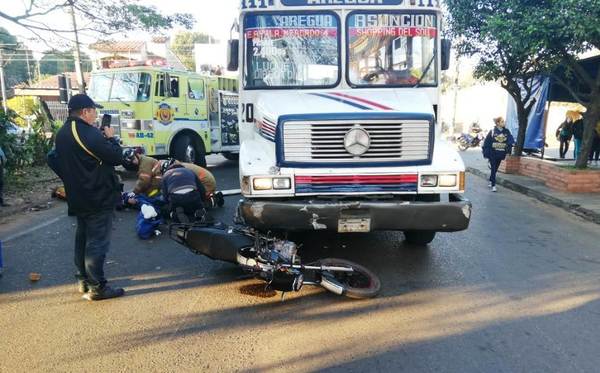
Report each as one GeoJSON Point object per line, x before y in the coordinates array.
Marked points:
{"type": "Point", "coordinates": [392, 49]}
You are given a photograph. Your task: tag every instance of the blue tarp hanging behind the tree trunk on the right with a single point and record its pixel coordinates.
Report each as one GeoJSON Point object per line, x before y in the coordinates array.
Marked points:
{"type": "Point", "coordinates": [535, 135]}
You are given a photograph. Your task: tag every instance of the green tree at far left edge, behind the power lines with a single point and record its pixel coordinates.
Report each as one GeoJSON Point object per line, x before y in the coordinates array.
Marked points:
{"type": "Point", "coordinates": [15, 56]}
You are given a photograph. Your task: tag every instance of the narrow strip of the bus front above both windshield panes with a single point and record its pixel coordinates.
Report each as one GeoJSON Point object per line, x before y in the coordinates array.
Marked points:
{"type": "Point", "coordinates": [291, 5]}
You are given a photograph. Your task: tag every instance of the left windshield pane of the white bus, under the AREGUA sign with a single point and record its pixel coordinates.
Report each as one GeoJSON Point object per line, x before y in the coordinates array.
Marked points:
{"type": "Point", "coordinates": [291, 50]}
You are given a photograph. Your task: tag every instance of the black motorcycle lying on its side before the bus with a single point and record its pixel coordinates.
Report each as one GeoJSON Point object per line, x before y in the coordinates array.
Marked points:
{"type": "Point", "coordinates": [274, 260]}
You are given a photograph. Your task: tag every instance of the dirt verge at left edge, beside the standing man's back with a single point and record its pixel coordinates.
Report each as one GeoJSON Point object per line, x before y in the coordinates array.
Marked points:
{"type": "Point", "coordinates": [29, 190]}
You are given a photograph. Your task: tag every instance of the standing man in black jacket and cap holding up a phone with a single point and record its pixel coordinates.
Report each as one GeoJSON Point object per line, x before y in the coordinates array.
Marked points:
{"type": "Point", "coordinates": [86, 158]}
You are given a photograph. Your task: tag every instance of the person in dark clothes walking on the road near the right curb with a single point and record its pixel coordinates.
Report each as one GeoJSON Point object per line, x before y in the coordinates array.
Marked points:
{"type": "Point", "coordinates": [497, 144]}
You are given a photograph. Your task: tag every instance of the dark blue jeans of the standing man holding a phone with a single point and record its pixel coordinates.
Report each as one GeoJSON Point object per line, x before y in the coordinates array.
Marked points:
{"type": "Point", "coordinates": [92, 241]}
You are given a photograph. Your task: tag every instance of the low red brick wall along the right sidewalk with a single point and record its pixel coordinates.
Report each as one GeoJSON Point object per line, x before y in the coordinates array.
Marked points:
{"type": "Point", "coordinates": [555, 177]}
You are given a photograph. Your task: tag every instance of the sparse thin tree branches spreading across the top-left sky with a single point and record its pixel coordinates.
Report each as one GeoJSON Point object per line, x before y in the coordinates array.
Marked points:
{"type": "Point", "coordinates": [104, 17]}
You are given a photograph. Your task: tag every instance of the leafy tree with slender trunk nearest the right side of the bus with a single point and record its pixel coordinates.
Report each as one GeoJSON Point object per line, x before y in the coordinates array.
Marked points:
{"type": "Point", "coordinates": [486, 28]}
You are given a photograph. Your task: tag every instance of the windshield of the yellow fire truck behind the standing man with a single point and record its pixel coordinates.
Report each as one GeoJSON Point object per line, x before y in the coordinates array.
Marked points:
{"type": "Point", "coordinates": [121, 86]}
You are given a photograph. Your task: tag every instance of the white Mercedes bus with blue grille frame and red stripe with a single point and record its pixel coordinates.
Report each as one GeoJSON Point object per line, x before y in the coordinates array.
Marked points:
{"type": "Point", "coordinates": [338, 118]}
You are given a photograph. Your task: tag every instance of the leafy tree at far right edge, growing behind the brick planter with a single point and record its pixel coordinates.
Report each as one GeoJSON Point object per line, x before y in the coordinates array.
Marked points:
{"type": "Point", "coordinates": [567, 28]}
